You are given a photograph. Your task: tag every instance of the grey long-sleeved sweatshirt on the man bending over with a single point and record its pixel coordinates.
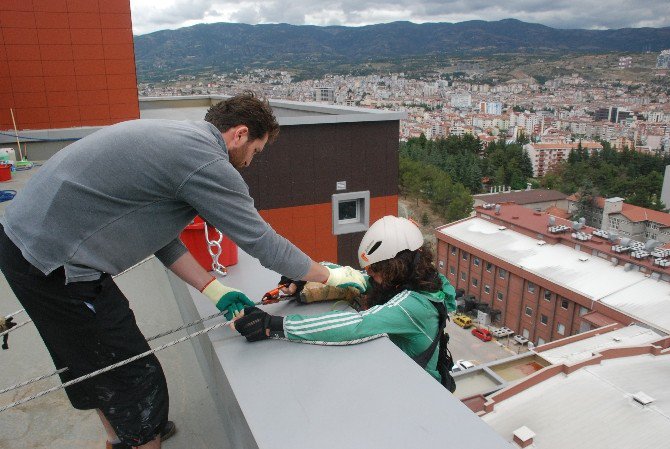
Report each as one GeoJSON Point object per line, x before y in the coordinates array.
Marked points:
{"type": "Point", "coordinates": [125, 192]}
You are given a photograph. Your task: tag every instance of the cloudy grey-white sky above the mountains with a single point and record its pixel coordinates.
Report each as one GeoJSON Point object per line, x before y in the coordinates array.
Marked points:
{"type": "Point", "coordinates": [153, 15]}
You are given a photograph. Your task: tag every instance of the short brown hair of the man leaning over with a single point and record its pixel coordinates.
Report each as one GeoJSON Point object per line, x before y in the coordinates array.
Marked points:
{"type": "Point", "coordinates": [248, 110]}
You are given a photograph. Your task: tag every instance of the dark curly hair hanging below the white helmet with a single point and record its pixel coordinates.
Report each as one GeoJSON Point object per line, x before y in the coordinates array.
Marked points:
{"type": "Point", "coordinates": [411, 270]}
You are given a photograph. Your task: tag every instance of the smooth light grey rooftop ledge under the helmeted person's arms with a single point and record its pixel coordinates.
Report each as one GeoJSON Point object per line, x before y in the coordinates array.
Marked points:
{"type": "Point", "coordinates": [278, 394]}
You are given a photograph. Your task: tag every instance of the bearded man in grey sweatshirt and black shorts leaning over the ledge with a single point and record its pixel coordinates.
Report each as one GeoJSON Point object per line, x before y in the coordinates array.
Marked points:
{"type": "Point", "coordinates": [108, 201]}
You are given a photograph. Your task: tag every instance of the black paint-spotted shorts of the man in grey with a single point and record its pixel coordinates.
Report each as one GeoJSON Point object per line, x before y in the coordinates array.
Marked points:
{"type": "Point", "coordinates": [87, 326]}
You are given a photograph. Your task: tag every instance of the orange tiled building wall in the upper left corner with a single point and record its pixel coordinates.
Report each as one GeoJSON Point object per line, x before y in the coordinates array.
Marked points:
{"type": "Point", "coordinates": [66, 63]}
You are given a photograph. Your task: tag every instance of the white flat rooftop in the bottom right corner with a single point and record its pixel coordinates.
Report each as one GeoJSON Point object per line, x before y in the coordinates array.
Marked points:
{"type": "Point", "coordinates": [593, 407]}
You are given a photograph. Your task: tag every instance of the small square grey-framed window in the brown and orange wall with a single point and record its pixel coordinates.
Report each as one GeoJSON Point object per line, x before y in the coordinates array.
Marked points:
{"type": "Point", "coordinates": [351, 212]}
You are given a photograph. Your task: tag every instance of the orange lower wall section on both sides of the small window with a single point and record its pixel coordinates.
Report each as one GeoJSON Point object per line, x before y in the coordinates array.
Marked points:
{"type": "Point", "coordinates": [311, 227]}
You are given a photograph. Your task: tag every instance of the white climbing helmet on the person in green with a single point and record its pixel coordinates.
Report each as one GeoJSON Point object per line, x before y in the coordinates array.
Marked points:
{"type": "Point", "coordinates": [386, 238]}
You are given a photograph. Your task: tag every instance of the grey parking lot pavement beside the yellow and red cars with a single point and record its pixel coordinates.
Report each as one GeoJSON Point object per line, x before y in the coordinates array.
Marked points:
{"type": "Point", "coordinates": [464, 345]}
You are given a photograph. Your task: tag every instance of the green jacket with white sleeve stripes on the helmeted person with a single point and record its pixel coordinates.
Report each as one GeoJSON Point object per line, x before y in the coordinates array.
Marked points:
{"type": "Point", "coordinates": [409, 319]}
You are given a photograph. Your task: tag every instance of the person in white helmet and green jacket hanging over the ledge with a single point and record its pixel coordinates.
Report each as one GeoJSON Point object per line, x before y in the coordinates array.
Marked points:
{"type": "Point", "coordinates": [409, 302]}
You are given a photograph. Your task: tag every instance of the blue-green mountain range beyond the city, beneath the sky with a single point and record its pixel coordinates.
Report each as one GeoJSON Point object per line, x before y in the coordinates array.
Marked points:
{"type": "Point", "coordinates": [225, 47]}
